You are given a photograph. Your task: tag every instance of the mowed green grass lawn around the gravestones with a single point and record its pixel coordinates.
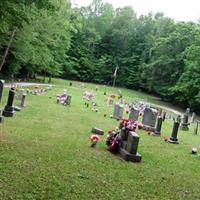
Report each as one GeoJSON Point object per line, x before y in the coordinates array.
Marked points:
{"type": "Point", "coordinates": [46, 154]}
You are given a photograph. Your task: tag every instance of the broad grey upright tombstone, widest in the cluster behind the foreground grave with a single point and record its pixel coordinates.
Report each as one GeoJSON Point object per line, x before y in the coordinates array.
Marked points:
{"type": "Point", "coordinates": [149, 119]}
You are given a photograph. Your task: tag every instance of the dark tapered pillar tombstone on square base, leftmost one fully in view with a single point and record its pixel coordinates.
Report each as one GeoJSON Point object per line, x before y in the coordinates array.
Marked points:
{"type": "Point", "coordinates": [9, 108]}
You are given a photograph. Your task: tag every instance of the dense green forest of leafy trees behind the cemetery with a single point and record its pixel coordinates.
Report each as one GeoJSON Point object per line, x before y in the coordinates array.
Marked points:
{"type": "Point", "coordinates": [153, 53]}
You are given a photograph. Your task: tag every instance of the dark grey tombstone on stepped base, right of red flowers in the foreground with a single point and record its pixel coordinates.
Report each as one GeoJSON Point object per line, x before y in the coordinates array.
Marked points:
{"type": "Point", "coordinates": [129, 151]}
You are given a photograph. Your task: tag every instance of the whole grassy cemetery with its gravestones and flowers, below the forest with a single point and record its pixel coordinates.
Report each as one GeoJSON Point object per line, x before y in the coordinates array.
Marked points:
{"type": "Point", "coordinates": [49, 151]}
